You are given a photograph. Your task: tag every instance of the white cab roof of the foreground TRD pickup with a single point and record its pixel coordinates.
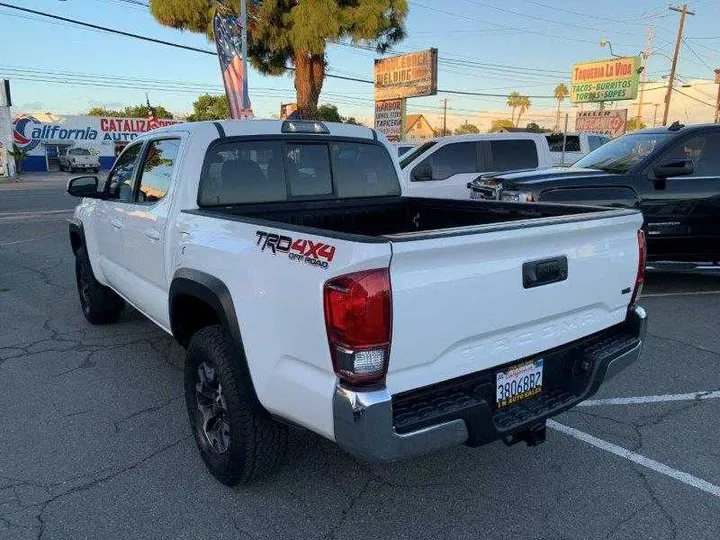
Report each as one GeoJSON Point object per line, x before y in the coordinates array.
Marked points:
{"type": "Point", "coordinates": [266, 127]}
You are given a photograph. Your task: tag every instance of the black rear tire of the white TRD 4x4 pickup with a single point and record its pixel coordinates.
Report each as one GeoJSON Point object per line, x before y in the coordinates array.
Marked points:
{"type": "Point", "coordinates": [257, 443]}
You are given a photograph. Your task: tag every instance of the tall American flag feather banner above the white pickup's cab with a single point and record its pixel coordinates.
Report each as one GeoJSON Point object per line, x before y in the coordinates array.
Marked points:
{"type": "Point", "coordinates": [229, 46]}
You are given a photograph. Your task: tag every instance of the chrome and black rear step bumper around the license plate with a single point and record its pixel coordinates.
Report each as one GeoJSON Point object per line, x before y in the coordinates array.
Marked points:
{"type": "Point", "coordinates": [377, 426]}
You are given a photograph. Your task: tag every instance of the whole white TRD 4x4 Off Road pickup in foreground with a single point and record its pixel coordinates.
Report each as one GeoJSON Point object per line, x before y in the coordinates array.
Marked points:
{"type": "Point", "coordinates": [309, 291]}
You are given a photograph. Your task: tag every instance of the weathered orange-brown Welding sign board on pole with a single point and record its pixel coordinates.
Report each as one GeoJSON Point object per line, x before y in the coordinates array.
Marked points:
{"type": "Point", "coordinates": [407, 75]}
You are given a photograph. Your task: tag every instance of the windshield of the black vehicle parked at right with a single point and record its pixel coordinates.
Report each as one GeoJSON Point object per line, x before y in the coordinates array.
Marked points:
{"type": "Point", "coordinates": [621, 155]}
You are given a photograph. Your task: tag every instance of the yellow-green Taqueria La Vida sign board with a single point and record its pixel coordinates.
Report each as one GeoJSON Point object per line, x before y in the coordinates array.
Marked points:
{"type": "Point", "coordinates": [613, 79]}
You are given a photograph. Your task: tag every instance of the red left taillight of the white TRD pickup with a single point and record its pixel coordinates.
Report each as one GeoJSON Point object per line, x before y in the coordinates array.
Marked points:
{"type": "Point", "coordinates": [358, 319]}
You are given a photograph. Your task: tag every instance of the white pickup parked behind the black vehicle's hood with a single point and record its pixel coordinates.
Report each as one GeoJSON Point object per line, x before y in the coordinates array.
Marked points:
{"type": "Point", "coordinates": [442, 167]}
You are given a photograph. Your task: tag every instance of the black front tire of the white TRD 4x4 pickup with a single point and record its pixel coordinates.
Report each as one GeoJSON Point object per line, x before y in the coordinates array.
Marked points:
{"type": "Point", "coordinates": [100, 304]}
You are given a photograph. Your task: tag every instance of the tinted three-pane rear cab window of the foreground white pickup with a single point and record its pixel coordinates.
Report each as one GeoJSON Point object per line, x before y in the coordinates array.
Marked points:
{"type": "Point", "coordinates": [245, 171]}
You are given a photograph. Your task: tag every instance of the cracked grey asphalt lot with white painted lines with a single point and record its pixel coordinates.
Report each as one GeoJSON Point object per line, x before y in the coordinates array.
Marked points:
{"type": "Point", "coordinates": [94, 441]}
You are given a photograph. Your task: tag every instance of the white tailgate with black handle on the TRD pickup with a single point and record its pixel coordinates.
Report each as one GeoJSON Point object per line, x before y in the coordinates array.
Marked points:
{"type": "Point", "coordinates": [460, 303]}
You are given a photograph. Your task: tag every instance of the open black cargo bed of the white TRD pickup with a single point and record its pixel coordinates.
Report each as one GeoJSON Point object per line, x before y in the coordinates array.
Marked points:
{"type": "Point", "coordinates": [393, 216]}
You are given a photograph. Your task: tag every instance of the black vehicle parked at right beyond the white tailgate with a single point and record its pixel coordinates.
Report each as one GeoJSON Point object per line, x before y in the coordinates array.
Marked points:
{"type": "Point", "coordinates": [671, 174]}
